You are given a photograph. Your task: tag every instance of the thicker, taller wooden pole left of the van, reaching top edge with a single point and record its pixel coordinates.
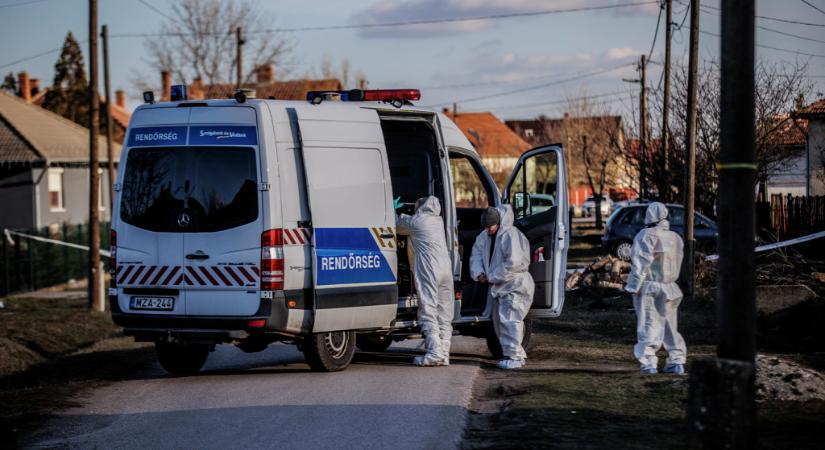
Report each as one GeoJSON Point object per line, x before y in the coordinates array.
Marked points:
{"type": "Point", "coordinates": [95, 280]}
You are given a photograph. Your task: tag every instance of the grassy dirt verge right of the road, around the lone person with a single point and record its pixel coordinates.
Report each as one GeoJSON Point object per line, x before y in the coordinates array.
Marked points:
{"type": "Point", "coordinates": [581, 387]}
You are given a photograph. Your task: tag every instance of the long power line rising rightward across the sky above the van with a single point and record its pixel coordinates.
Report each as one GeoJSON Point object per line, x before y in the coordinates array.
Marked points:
{"type": "Point", "coordinates": [408, 23]}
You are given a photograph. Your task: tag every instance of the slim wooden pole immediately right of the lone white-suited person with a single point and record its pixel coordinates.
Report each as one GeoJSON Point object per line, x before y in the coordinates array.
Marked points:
{"type": "Point", "coordinates": [690, 146]}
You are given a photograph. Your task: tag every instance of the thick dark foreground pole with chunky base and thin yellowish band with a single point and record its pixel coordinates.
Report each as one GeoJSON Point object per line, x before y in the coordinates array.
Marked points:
{"type": "Point", "coordinates": [721, 409]}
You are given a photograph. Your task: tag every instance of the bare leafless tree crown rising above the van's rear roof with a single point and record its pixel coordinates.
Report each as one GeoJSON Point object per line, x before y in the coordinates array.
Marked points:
{"type": "Point", "coordinates": [198, 41]}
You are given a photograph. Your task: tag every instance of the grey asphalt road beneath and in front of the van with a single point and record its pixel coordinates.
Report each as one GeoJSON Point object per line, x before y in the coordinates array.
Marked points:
{"type": "Point", "coordinates": [271, 400]}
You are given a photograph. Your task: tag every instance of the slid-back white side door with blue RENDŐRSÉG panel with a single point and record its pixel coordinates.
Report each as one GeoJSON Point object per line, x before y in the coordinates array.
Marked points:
{"type": "Point", "coordinates": [353, 222]}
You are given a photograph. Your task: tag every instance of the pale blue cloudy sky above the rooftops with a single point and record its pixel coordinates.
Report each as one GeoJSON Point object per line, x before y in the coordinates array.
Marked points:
{"type": "Point", "coordinates": [544, 58]}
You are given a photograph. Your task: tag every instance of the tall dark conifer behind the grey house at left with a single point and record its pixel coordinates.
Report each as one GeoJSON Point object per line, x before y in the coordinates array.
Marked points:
{"type": "Point", "coordinates": [69, 93]}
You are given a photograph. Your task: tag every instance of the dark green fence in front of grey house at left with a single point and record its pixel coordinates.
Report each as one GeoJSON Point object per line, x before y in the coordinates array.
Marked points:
{"type": "Point", "coordinates": [28, 265]}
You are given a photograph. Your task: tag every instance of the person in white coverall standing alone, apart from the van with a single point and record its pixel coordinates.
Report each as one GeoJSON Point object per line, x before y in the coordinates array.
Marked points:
{"type": "Point", "coordinates": [656, 259]}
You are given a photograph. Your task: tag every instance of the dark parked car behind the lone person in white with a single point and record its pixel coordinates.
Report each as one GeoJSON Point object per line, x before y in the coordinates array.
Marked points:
{"type": "Point", "coordinates": [626, 221]}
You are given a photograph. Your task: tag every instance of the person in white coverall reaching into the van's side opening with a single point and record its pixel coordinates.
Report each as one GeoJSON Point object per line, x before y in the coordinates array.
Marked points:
{"type": "Point", "coordinates": [433, 274]}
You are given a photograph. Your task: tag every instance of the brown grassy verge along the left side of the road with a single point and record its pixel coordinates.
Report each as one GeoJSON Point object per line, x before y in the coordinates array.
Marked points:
{"type": "Point", "coordinates": [52, 350]}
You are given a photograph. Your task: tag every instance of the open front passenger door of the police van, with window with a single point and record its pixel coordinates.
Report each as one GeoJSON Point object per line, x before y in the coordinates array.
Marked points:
{"type": "Point", "coordinates": [537, 191]}
